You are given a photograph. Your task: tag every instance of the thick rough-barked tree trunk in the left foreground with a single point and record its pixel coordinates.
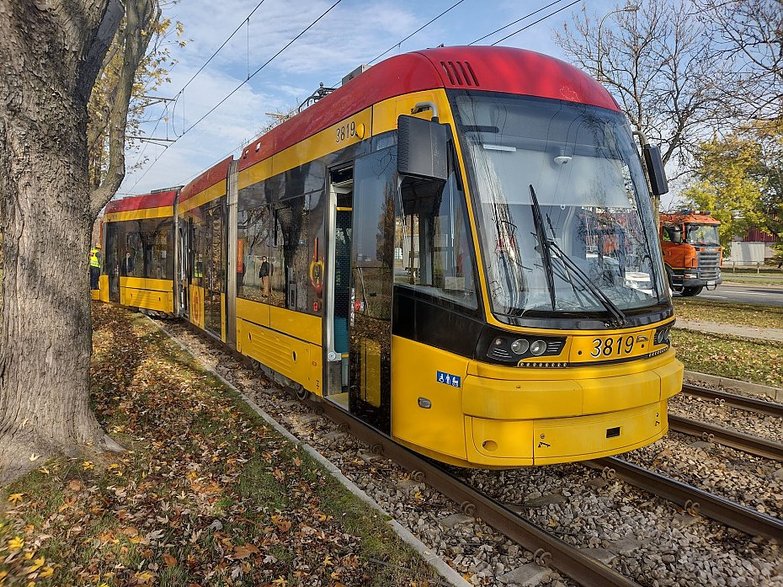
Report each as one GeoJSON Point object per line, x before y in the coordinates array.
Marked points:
{"type": "Point", "coordinates": [48, 54]}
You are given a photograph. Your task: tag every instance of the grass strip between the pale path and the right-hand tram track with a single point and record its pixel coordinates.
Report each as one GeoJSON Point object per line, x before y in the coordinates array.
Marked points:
{"type": "Point", "coordinates": [736, 358]}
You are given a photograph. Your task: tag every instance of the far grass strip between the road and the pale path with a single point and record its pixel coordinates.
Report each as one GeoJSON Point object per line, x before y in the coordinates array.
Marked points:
{"type": "Point", "coordinates": [725, 313]}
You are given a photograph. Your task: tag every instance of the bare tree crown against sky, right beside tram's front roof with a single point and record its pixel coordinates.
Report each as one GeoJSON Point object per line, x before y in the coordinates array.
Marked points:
{"type": "Point", "coordinates": [655, 63]}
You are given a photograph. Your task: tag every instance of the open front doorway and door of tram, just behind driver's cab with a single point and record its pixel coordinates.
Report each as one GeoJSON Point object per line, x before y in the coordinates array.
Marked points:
{"type": "Point", "coordinates": [359, 301]}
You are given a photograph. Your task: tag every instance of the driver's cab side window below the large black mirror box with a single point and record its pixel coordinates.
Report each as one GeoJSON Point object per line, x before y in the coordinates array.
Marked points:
{"type": "Point", "coordinates": [433, 248]}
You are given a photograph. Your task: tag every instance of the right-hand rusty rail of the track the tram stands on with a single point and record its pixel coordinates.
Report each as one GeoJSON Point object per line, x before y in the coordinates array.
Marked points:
{"type": "Point", "coordinates": [694, 500]}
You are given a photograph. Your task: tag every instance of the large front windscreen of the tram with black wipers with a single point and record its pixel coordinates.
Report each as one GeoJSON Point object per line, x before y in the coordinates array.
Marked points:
{"type": "Point", "coordinates": [562, 205]}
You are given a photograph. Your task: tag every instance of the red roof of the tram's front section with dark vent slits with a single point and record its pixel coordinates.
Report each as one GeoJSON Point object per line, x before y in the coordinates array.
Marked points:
{"type": "Point", "coordinates": [494, 69]}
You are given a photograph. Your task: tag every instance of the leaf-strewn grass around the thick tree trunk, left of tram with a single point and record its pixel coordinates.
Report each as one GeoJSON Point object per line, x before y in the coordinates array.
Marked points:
{"type": "Point", "coordinates": [205, 494]}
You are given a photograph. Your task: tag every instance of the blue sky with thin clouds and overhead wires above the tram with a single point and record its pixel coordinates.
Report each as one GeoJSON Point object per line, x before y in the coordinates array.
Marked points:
{"type": "Point", "coordinates": [354, 32]}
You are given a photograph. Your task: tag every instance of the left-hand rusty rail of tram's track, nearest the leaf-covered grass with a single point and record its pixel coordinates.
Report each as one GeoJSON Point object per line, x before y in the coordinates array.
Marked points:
{"type": "Point", "coordinates": [548, 550]}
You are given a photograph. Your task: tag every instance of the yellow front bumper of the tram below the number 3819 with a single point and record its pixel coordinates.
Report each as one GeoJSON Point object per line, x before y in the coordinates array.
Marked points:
{"type": "Point", "coordinates": [577, 414]}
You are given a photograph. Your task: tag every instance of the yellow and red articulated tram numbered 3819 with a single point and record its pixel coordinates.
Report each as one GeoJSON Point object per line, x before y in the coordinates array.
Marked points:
{"type": "Point", "coordinates": [457, 246]}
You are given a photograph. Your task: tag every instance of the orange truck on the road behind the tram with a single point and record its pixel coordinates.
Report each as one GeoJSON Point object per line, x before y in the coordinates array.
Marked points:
{"type": "Point", "coordinates": [691, 251]}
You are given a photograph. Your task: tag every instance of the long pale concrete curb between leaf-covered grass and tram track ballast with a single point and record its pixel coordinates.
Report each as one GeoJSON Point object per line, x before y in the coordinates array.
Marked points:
{"type": "Point", "coordinates": [443, 569]}
